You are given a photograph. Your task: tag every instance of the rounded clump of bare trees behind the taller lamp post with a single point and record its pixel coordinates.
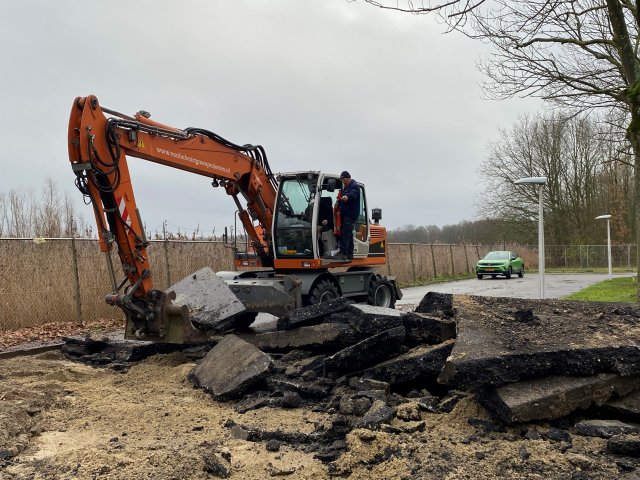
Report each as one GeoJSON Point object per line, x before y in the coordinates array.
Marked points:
{"type": "Point", "coordinates": [573, 152]}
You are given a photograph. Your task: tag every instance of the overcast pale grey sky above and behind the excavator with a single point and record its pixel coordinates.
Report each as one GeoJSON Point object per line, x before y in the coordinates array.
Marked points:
{"type": "Point", "coordinates": [321, 84]}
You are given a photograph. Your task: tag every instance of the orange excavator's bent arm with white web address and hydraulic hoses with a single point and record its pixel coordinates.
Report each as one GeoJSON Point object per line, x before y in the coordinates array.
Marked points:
{"type": "Point", "coordinates": [100, 140]}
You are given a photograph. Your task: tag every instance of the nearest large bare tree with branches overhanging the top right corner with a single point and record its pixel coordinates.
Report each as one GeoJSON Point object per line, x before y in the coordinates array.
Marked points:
{"type": "Point", "coordinates": [577, 53]}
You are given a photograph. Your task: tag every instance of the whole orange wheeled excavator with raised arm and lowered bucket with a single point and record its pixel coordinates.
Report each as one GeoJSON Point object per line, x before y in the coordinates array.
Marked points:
{"type": "Point", "coordinates": [281, 215]}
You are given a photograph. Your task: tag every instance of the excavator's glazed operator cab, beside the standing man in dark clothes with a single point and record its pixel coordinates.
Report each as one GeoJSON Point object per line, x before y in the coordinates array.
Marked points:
{"type": "Point", "coordinates": [305, 222]}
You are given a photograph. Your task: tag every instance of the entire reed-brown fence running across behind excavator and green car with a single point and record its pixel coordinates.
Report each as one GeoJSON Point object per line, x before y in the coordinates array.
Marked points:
{"type": "Point", "coordinates": [65, 280]}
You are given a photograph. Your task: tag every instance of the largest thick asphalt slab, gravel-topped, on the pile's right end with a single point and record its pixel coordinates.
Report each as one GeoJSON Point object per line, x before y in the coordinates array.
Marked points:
{"type": "Point", "coordinates": [493, 348]}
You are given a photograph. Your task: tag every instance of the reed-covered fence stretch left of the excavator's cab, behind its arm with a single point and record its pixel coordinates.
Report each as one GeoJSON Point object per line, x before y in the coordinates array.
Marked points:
{"type": "Point", "coordinates": [66, 280]}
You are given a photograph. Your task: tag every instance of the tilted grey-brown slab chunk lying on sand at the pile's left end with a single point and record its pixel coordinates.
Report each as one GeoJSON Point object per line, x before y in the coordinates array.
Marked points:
{"type": "Point", "coordinates": [231, 368]}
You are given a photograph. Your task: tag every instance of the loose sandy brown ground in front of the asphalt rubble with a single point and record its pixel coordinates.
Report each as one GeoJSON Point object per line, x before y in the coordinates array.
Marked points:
{"type": "Point", "coordinates": [61, 419]}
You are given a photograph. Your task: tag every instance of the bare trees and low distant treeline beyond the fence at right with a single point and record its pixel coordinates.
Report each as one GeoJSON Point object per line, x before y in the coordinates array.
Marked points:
{"type": "Point", "coordinates": [587, 176]}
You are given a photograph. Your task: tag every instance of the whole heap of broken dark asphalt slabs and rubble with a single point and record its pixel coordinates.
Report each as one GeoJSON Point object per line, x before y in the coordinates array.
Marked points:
{"type": "Point", "coordinates": [523, 360]}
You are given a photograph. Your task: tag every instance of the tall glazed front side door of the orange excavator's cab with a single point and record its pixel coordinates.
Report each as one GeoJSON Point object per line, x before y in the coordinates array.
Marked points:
{"type": "Point", "coordinates": [294, 215]}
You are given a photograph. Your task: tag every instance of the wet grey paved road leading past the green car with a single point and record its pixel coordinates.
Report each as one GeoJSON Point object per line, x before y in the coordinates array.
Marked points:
{"type": "Point", "coordinates": [556, 285]}
